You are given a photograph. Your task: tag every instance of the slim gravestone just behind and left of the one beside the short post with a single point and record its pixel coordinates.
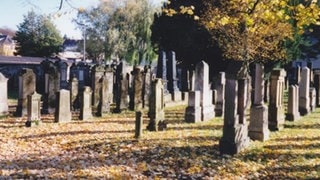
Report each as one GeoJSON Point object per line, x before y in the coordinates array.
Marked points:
{"type": "Point", "coordinates": [146, 89]}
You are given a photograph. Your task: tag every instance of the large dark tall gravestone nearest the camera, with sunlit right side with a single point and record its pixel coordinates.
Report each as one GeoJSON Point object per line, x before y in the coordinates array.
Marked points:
{"type": "Point", "coordinates": [235, 128]}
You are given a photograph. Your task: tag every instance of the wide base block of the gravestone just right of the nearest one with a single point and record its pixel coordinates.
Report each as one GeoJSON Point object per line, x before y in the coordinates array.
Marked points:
{"type": "Point", "coordinates": [258, 127]}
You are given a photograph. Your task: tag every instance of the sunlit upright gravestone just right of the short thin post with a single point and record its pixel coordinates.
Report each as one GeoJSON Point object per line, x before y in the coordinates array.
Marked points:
{"type": "Point", "coordinates": [156, 107]}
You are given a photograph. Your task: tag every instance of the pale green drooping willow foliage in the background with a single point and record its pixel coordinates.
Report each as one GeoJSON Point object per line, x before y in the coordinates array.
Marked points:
{"type": "Point", "coordinates": [120, 30]}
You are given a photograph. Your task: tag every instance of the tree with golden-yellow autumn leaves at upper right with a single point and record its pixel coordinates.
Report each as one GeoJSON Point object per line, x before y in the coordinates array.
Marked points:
{"type": "Point", "coordinates": [253, 30]}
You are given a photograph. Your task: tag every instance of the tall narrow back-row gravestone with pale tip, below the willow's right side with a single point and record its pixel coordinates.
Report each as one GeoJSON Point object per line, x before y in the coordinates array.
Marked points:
{"type": "Point", "coordinates": [122, 87]}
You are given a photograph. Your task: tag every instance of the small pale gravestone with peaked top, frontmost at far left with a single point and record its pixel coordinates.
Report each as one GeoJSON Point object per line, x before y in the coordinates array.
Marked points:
{"type": "Point", "coordinates": [34, 114]}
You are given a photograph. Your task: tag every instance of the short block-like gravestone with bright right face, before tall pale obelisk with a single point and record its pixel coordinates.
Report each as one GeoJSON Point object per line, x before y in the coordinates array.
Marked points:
{"type": "Point", "coordinates": [193, 111]}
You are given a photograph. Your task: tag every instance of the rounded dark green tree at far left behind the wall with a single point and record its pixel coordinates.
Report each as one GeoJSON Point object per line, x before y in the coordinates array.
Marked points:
{"type": "Point", "coordinates": [37, 36]}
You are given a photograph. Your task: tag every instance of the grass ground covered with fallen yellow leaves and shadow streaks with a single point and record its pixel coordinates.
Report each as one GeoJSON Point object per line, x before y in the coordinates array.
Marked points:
{"type": "Point", "coordinates": [105, 148]}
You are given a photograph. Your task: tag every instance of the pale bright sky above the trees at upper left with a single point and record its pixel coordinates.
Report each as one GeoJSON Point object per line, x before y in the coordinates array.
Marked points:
{"type": "Point", "coordinates": [12, 12]}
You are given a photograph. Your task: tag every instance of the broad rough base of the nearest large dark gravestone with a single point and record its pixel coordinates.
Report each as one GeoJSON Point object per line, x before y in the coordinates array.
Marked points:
{"type": "Point", "coordinates": [234, 139]}
